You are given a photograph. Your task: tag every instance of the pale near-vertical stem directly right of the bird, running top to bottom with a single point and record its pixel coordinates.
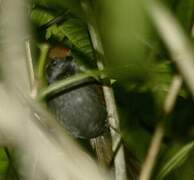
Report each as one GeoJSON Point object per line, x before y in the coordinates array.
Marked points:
{"type": "Point", "coordinates": [113, 118]}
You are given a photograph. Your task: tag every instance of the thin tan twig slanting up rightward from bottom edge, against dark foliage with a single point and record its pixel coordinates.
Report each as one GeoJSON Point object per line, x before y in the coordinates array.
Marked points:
{"type": "Point", "coordinates": [159, 132]}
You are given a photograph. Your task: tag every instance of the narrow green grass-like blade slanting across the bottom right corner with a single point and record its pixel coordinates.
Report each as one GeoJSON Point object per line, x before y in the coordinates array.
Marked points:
{"type": "Point", "coordinates": [176, 161]}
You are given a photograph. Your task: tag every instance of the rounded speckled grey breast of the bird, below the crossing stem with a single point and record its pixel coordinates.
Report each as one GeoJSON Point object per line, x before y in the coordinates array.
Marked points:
{"type": "Point", "coordinates": [81, 111]}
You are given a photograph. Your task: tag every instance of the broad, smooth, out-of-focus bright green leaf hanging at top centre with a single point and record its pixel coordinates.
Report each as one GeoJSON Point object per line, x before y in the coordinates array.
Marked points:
{"type": "Point", "coordinates": [123, 26]}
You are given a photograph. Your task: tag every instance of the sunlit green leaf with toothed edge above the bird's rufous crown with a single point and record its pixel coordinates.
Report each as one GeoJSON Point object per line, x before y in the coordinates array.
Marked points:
{"type": "Point", "coordinates": [73, 29]}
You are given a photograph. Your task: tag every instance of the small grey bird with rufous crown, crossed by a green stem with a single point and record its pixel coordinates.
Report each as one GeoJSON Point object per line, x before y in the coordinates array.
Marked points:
{"type": "Point", "coordinates": [81, 110]}
